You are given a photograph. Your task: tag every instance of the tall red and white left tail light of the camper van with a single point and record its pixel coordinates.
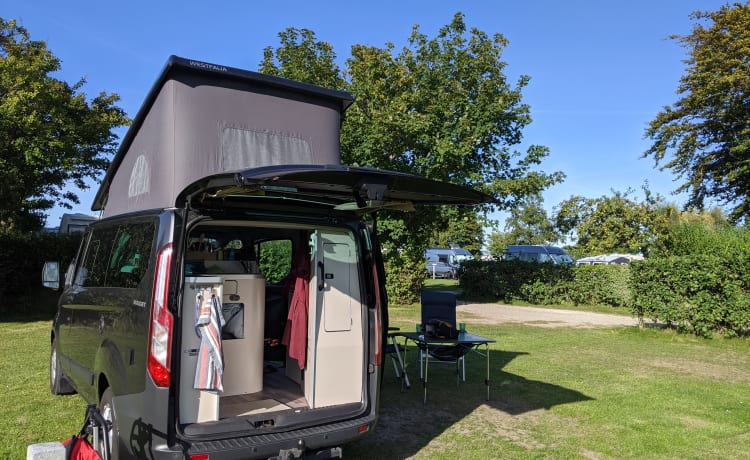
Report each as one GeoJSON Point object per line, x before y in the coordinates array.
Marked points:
{"type": "Point", "coordinates": [160, 336]}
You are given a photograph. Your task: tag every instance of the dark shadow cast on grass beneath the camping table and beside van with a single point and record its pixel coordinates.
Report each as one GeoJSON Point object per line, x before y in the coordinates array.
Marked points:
{"type": "Point", "coordinates": [406, 425]}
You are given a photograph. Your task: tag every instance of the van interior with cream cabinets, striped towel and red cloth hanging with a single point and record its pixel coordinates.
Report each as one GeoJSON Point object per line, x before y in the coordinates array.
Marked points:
{"type": "Point", "coordinates": [260, 272]}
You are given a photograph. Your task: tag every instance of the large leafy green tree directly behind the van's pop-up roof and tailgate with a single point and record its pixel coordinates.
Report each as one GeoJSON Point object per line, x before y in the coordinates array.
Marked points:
{"type": "Point", "coordinates": [439, 107]}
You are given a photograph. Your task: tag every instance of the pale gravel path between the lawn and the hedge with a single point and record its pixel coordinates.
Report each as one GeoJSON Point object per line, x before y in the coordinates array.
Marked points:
{"type": "Point", "coordinates": [489, 313]}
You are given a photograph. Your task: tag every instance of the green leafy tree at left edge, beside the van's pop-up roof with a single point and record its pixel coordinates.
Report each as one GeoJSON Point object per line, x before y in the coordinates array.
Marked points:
{"type": "Point", "coordinates": [49, 134]}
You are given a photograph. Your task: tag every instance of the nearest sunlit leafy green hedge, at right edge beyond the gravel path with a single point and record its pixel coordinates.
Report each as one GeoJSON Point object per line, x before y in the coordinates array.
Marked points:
{"type": "Point", "coordinates": [701, 294]}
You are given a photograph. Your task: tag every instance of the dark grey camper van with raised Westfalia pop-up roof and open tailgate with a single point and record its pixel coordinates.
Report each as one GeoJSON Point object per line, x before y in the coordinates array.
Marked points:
{"type": "Point", "coordinates": [230, 302]}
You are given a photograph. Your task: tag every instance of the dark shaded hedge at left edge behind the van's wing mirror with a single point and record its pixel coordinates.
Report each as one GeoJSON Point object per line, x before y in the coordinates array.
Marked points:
{"type": "Point", "coordinates": [21, 262]}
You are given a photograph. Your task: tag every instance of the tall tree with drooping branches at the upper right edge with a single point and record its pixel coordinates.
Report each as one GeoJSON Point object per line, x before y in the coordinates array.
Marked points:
{"type": "Point", "coordinates": [704, 137]}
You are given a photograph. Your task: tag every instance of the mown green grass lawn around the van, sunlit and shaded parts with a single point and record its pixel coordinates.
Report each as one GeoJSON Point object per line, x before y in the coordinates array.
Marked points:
{"type": "Point", "coordinates": [556, 393]}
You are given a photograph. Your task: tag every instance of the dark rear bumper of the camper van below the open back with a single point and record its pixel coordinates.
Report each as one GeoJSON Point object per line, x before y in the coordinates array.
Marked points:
{"type": "Point", "coordinates": [315, 441]}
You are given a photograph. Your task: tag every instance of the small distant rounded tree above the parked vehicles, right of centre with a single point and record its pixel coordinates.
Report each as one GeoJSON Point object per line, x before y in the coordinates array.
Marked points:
{"type": "Point", "coordinates": [610, 224]}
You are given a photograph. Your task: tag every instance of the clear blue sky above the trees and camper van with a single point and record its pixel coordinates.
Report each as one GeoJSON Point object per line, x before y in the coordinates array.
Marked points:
{"type": "Point", "coordinates": [600, 70]}
